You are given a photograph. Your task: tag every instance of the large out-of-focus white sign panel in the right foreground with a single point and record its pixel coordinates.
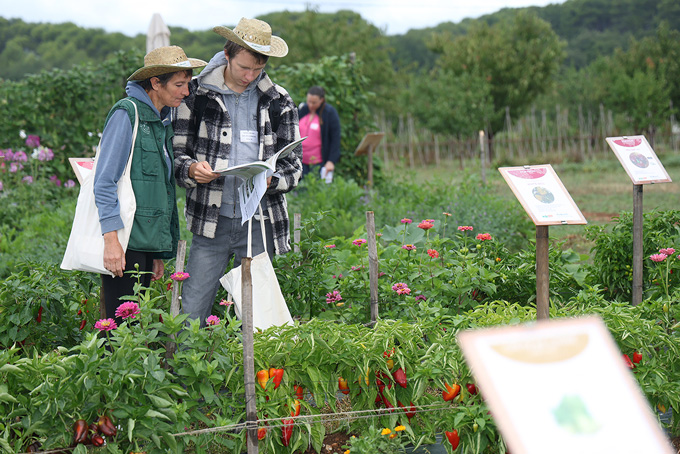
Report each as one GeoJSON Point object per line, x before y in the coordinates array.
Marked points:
{"type": "Point", "coordinates": [577, 394]}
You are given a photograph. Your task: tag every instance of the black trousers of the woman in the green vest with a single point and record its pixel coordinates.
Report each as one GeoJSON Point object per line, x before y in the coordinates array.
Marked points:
{"type": "Point", "coordinates": [115, 288]}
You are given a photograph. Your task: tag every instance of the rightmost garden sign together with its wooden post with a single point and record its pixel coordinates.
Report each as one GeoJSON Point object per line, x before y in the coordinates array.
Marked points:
{"type": "Point", "coordinates": [643, 167]}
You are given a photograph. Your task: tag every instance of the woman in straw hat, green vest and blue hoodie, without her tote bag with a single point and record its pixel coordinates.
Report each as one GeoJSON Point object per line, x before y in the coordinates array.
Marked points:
{"type": "Point", "coordinates": [162, 83]}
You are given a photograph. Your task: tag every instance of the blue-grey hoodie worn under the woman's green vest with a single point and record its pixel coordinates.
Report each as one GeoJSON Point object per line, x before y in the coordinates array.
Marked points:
{"type": "Point", "coordinates": [114, 150]}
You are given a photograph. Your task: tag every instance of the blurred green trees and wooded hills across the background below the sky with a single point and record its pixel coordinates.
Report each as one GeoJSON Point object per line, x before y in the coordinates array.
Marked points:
{"type": "Point", "coordinates": [455, 79]}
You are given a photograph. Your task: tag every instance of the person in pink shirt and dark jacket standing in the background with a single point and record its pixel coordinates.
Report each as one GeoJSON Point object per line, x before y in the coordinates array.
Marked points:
{"type": "Point", "coordinates": [320, 123]}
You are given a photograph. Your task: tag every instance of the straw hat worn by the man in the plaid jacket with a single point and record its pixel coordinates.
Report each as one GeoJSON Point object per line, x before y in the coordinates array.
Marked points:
{"type": "Point", "coordinates": [255, 35]}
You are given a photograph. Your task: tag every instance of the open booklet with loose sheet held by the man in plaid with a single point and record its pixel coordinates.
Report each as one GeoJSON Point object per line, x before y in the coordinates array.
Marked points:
{"type": "Point", "coordinates": [254, 175]}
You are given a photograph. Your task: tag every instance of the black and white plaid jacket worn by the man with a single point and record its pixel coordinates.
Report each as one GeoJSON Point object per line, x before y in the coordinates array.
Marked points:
{"type": "Point", "coordinates": [213, 145]}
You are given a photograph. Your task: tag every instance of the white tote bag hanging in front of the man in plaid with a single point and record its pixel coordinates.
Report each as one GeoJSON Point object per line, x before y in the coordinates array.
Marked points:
{"type": "Point", "coordinates": [269, 306]}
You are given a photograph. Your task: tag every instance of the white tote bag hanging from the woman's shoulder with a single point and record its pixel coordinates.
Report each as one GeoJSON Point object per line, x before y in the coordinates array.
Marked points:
{"type": "Point", "coordinates": [85, 248]}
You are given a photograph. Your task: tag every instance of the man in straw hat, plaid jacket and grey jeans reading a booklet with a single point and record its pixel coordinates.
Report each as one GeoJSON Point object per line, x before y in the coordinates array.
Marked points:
{"type": "Point", "coordinates": [234, 115]}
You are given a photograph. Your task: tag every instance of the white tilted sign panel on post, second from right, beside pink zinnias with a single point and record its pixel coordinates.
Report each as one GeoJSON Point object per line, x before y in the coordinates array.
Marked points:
{"type": "Point", "coordinates": [542, 194]}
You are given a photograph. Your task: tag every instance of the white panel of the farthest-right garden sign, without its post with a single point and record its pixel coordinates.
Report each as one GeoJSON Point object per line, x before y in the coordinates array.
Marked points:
{"type": "Point", "coordinates": [638, 159]}
